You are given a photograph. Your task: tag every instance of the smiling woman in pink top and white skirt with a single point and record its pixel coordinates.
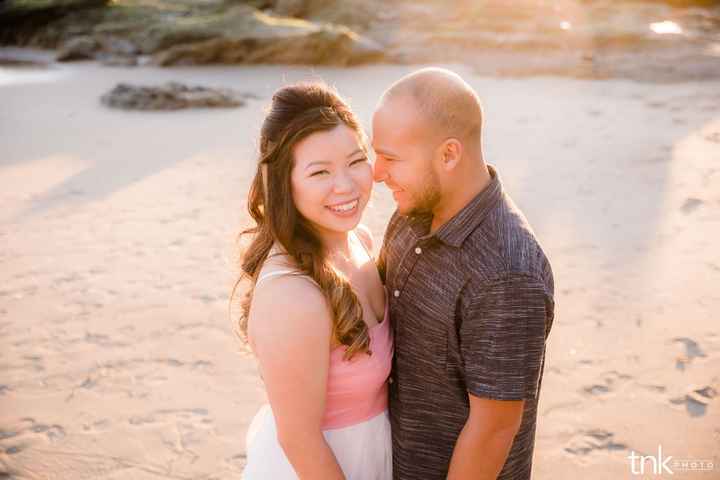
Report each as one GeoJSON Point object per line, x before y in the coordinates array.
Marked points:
{"type": "Point", "coordinates": [316, 313]}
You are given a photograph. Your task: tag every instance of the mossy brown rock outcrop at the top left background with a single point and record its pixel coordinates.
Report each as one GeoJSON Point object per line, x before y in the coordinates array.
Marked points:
{"type": "Point", "coordinates": [186, 32]}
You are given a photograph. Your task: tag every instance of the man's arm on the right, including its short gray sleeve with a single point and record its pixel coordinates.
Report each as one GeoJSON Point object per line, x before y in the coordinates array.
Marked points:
{"type": "Point", "coordinates": [502, 343]}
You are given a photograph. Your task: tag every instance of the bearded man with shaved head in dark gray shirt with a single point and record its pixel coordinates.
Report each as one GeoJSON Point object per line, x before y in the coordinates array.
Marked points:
{"type": "Point", "coordinates": [471, 291]}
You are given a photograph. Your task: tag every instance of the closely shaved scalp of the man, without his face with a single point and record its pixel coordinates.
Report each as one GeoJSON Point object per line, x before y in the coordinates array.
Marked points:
{"type": "Point", "coordinates": [448, 104]}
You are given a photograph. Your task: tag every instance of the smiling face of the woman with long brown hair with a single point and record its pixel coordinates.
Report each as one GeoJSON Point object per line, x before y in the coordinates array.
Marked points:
{"type": "Point", "coordinates": [331, 179]}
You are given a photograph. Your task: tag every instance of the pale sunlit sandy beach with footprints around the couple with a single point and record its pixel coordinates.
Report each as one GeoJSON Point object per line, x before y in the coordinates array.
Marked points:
{"type": "Point", "coordinates": [117, 254]}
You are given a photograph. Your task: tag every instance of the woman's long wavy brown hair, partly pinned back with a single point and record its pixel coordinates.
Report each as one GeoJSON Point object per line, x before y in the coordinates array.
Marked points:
{"type": "Point", "coordinates": [296, 112]}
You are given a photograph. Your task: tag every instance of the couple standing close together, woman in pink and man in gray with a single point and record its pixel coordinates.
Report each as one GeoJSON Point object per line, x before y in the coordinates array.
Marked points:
{"type": "Point", "coordinates": [426, 362]}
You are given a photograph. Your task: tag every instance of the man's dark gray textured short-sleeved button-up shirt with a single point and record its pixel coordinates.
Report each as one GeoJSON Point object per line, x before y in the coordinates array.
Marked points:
{"type": "Point", "coordinates": [471, 306]}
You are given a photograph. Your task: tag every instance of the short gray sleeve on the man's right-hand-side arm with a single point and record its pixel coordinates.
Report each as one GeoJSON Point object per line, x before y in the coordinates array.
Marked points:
{"type": "Point", "coordinates": [502, 338]}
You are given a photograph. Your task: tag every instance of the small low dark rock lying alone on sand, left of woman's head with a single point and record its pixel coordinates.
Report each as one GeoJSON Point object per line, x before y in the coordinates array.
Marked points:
{"type": "Point", "coordinates": [171, 96]}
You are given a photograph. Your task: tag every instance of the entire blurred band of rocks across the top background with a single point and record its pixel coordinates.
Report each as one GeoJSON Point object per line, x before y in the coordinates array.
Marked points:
{"type": "Point", "coordinates": [495, 36]}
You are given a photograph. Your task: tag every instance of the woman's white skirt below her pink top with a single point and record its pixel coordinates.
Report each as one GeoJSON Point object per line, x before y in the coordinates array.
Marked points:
{"type": "Point", "coordinates": [363, 450]}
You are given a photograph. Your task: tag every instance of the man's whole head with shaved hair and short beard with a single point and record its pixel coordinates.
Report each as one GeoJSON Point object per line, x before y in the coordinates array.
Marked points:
{"type": "Point", "coordinates": [427, 141]}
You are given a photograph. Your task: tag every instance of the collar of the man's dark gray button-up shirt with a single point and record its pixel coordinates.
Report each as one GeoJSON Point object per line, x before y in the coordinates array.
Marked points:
{"type": "Point", "coordinates": [456, 230]}
